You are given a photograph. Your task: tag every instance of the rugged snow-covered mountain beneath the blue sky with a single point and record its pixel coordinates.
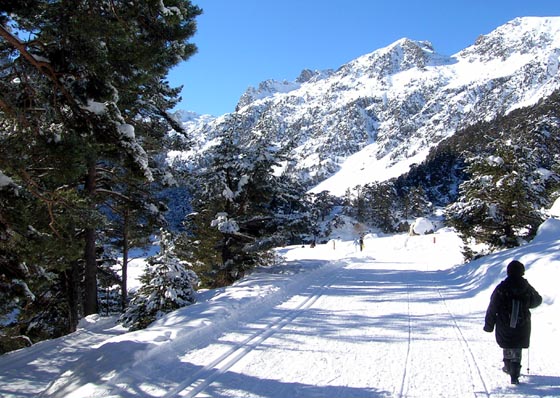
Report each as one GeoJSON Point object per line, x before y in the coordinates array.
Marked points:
{"type": "Point", "coordinates": [378, 114]}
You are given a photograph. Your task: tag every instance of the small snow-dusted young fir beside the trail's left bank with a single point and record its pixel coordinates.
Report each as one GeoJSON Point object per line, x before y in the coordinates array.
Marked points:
{"type": "Point", "coordinates": [167, 284]}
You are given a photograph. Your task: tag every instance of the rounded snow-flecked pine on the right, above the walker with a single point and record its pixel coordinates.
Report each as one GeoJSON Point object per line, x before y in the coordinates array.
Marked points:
{"type": "Point", "coordinates": [496, 204]}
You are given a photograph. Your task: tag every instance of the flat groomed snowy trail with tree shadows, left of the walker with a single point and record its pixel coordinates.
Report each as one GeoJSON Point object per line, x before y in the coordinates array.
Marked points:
{"type": "Point", "coordinates": [364, 329]}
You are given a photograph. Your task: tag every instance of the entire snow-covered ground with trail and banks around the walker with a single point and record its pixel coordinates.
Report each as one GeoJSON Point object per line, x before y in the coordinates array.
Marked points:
{"type": "Point", "coordinates": [402, 318]}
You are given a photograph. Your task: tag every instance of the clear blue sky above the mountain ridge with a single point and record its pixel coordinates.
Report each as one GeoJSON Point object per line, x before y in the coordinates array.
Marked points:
{"type": "Point", "coordinates": [243, 42]}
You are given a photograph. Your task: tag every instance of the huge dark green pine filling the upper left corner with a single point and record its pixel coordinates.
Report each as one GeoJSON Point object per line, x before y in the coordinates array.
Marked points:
{"type": "Point", "coordinates": [81, 85]}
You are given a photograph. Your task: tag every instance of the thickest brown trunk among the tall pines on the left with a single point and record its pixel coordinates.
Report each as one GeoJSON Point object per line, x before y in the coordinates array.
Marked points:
{"type": "Point", "coordinates": [90, 273]}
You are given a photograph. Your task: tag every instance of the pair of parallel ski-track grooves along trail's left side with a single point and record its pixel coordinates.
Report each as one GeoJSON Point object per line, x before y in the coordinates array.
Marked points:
{"type": "Point", "coordinates": [205, 376]}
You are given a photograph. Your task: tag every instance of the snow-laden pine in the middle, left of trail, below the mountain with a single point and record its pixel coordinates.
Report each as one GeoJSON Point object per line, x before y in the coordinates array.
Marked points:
{"type": "Point", "coordinates": [250, 209]}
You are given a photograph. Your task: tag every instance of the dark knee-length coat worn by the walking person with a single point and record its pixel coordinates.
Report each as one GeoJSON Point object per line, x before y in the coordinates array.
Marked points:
{"type": "Point", "coordinates": [512, 296]}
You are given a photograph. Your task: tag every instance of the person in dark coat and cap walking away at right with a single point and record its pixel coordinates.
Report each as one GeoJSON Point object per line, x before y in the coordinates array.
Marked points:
{"type": "Point", "coordinates": [509, 312]}
